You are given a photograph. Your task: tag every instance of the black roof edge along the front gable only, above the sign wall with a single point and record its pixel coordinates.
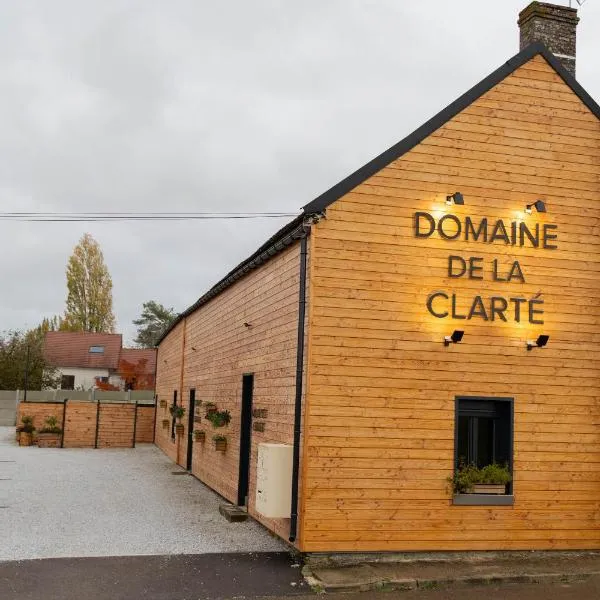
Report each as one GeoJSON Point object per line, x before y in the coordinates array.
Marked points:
{"type": "Point", "coordinates": [320, 203]}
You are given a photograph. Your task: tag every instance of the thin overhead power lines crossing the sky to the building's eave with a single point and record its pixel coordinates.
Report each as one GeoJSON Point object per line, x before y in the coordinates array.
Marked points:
{"type": "Point", "coordinates": [54, 217]}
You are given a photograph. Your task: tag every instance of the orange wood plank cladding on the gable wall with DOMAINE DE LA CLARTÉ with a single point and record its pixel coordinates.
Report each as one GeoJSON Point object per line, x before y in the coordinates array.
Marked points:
{"type": "Point", "coordinates": [379, 434]}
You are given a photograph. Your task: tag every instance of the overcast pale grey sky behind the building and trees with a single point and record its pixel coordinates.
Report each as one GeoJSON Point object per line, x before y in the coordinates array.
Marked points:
{"type": "Point", "coordinates": [190, 105]}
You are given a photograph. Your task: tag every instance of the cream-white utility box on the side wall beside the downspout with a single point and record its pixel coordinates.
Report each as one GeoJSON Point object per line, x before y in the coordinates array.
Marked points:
{"type": "Point", "coordinates": [274, 480]}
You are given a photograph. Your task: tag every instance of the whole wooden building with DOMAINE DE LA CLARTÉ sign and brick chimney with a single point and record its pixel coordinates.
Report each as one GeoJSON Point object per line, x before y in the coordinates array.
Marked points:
{"type": "Point", "coordinates": [340, 338]}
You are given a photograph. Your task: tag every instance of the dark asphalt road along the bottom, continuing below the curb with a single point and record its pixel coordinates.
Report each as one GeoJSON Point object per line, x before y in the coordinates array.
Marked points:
{"type": "Point", "coordinates": [223, 576]}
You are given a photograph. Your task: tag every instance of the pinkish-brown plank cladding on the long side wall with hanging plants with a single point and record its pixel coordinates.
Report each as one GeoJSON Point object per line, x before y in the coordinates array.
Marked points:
{"type": "Point", "coordinates": [249, 328]}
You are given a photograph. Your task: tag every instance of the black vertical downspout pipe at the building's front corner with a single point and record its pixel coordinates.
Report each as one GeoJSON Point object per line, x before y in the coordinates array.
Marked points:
{"type": "Point", "coordinates": [299, 379]}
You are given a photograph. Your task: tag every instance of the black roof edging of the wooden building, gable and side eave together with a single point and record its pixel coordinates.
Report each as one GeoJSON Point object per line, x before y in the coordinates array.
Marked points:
{"type": "Point", "coordinates": [294, 230]}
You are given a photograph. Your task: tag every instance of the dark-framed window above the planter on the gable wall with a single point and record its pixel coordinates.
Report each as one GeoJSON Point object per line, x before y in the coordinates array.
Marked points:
{"type": "Point", "coordinates": [484, 432]}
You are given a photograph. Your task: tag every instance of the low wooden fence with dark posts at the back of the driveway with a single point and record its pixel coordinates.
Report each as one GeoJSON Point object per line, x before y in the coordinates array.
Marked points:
{"type": "Point", "coordinates": [98, 424]}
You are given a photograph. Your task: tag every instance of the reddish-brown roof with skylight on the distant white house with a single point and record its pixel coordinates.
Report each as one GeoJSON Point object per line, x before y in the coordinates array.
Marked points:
{"type": "Point", "coordinates": [82, 349]}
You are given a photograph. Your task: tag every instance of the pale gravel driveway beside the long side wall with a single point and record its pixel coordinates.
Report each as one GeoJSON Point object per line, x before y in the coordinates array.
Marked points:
{"type": "Point", "coordinates": [114, 502]}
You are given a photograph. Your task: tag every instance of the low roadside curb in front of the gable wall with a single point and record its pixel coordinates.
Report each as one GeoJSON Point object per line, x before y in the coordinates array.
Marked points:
{"type": "Point", "coordinates": [367, 583]}
